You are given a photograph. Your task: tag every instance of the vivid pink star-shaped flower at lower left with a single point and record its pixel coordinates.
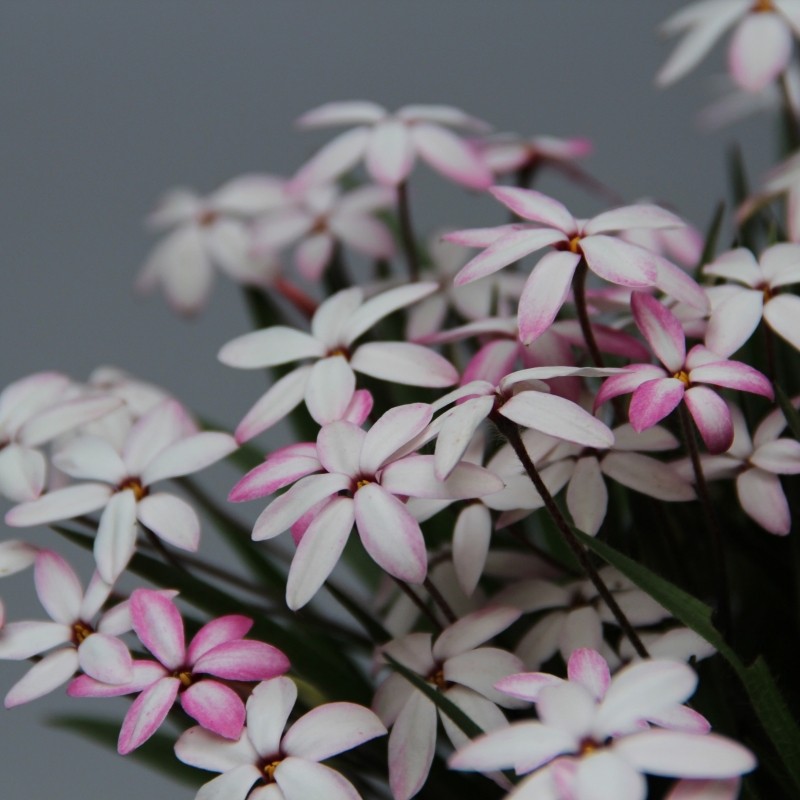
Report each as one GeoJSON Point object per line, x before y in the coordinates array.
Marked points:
{"type": "Point", "coordinates": [195, 675]}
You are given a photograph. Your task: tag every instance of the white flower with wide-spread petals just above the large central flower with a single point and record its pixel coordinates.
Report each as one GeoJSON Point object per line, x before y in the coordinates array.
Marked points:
{"type": "Point", "coordinates": [328, 385]}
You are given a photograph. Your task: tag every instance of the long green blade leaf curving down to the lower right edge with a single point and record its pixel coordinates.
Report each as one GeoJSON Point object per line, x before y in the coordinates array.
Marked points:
{"type": "Point", "coordinates": [765, 697]}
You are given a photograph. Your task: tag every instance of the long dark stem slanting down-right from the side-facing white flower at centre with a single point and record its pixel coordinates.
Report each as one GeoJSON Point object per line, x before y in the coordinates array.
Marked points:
{"type": "Point", "coordinates": [511, 432]}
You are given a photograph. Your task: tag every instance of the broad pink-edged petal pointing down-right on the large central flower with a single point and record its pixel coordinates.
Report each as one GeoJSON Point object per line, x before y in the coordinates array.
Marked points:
{"type": "Point", "coordinates": [389, 533]}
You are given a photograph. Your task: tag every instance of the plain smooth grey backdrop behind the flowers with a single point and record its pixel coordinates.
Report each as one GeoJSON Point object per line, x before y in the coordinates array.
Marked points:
{"type": "Point", "coordinates": [104, 104]}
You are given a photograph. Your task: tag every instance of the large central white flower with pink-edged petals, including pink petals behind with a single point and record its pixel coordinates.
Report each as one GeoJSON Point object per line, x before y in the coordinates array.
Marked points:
{"type": "Point", "coordinates": [366, 479]}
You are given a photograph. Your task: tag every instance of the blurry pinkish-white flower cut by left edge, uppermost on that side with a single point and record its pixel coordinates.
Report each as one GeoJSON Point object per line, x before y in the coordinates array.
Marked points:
{"type": "Point", "coordinates": [33, 411]}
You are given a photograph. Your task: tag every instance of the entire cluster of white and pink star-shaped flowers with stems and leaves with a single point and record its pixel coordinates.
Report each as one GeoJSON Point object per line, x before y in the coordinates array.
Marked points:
{"type": "Point", "coordinates": [532, 535]}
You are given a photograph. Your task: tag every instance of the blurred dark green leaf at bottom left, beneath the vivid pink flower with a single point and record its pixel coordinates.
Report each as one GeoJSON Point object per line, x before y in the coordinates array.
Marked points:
{"type": "Point", "coordinates": [156, 754]}
